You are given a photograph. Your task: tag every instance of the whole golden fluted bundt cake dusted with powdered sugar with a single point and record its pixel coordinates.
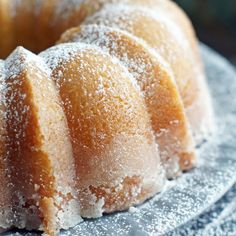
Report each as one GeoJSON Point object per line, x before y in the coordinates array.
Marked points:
{"type": "Point", "coordinates": [99, 121]}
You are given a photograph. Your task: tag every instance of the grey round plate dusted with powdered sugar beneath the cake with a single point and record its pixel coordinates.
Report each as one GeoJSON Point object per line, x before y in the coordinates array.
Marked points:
{"type": "Point", "coordinates": [193, 192]}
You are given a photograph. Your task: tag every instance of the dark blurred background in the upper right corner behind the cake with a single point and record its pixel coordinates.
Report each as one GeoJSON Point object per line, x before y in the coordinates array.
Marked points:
{"type": "Point", "coordinates": [215, 23]}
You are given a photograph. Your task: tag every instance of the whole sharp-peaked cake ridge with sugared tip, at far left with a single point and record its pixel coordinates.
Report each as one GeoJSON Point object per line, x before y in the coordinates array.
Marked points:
{"type": "Point", "coordinates": [39, 151]}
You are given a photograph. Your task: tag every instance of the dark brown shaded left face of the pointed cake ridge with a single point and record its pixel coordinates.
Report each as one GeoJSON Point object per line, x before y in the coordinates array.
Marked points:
{"type": "Point", "coordinates": [29, 164]}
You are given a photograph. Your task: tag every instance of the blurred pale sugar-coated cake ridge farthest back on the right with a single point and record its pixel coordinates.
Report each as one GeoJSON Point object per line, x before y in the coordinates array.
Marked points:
{"type": "Point", "coordinates": [171, 42]}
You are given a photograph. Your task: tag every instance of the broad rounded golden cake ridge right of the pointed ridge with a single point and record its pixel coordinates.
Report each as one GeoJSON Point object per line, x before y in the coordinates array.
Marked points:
{"type": "Point", "coordinates": [110, 129]}
